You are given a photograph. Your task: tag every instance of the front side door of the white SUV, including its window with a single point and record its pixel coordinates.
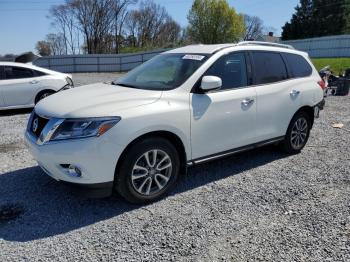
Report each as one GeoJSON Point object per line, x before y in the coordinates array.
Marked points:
{"type": "Point", "coordinates": [224, 119]}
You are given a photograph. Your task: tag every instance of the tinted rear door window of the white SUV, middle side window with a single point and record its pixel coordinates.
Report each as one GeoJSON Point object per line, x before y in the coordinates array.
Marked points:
{"type": "Point", "coordinates": [269, 67]}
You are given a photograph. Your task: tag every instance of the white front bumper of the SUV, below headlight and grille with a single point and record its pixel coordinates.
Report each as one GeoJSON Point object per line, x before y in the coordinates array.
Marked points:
{"type": "Point", "coordinates": [96, 158]}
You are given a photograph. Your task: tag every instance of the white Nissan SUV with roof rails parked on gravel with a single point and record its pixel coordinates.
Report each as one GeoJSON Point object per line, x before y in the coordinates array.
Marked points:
{"type": "Point", "coordinates": [184, 107]}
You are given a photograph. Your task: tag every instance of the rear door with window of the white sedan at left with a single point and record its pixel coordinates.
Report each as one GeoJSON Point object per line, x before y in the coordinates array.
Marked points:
{"type": "Point", "coordinates": [20, 86]}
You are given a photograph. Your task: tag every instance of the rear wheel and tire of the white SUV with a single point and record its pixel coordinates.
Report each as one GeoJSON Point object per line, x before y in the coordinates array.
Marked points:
{"type": "Point", "coordinates": [298, 133]}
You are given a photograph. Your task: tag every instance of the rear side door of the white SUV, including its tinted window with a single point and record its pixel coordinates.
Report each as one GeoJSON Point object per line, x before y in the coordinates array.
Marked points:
{"type": "Point", "coordinates": [278, 98]}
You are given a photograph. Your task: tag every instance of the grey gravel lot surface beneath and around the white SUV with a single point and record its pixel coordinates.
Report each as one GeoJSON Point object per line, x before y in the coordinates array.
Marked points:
{"type": "Point", "coordinates": [261, 205]}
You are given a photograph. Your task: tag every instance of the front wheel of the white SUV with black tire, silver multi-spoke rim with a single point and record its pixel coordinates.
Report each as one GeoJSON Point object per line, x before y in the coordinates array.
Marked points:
{"type": "Point", "coordinates": [140, 181]}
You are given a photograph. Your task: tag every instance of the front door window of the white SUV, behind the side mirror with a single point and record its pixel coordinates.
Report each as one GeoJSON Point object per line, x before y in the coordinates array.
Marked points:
{"type": "Point", "coordinates": [231, 69]}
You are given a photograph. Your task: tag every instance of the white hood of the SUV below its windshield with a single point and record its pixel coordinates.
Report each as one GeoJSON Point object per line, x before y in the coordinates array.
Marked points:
{"type": "Point", "coordinates": [96, 100]}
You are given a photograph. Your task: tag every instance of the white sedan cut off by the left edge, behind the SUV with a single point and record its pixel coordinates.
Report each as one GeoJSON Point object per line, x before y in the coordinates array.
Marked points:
{"type": "Point", "coordinates": [23, 85]}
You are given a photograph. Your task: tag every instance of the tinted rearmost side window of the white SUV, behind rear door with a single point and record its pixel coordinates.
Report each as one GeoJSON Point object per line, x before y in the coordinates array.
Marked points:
{"type": "Point", "coordinates": [297, 66]}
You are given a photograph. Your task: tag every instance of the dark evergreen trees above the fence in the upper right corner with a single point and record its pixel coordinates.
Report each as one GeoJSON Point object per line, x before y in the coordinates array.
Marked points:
{"type": "Point", "coordinates": [315, 18]}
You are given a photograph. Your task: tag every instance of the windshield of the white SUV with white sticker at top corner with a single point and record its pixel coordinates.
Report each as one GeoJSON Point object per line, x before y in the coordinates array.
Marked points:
{"type": "Point", "coordinates": [163, 72]}
